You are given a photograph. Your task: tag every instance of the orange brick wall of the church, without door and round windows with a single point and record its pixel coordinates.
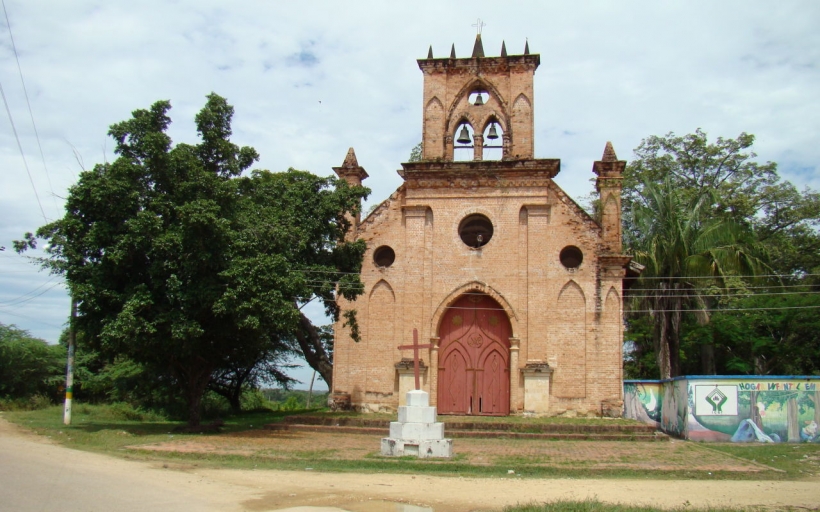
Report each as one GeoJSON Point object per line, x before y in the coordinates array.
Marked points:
{"type": "Point", "coordinates": [569, 318]}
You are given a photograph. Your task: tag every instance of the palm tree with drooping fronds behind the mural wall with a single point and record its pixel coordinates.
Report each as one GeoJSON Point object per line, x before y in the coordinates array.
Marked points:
{"type": "Point", "coordinates": [684, 247]}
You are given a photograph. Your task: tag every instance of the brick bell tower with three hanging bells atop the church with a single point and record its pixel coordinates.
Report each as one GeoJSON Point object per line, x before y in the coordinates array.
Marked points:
{"type": "Point", "coordinates": [478, 103]}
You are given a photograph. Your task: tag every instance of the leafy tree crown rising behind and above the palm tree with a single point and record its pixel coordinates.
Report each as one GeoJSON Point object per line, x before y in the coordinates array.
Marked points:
{"type": "Point", "coordinates": [750, 193]}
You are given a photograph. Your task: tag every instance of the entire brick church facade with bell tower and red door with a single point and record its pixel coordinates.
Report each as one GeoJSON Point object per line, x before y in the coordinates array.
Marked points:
{"type": "Point", "coordinates": [515, 290]}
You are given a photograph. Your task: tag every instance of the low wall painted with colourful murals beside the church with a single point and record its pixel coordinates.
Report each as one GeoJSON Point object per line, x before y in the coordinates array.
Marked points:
{"type": "Point", "coordinates": [769, 409]}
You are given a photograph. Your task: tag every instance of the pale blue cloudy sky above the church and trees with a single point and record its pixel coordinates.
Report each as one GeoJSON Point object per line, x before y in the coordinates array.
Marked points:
{"type": "Point", "coordinates": [310, 79]}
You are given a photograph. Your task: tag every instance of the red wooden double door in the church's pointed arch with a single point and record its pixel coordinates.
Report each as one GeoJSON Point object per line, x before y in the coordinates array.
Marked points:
{"type": "Point", "coordinates": [474, 360]}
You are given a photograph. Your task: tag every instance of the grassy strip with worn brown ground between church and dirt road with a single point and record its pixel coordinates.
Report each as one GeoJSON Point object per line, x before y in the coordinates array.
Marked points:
{"type": "Point", "coordinates": [244, 443]}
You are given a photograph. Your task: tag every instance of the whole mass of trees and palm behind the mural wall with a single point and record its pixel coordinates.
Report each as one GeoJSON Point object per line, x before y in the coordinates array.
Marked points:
{"type": "Point", "coordinates": [720, 234]}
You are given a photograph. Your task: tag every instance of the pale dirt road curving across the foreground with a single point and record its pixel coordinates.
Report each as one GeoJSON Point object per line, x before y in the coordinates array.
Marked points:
{"type": "Point", "coordinates": [248, 490]}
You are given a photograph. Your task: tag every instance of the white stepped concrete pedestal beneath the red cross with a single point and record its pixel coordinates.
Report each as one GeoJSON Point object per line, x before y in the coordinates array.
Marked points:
{"type": "Point", "coordinates": [417, 433]}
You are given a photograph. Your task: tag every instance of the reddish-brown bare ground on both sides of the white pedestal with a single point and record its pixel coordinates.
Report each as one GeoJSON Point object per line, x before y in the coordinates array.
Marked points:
{"type": "Point", "coordinates": [662, 456]}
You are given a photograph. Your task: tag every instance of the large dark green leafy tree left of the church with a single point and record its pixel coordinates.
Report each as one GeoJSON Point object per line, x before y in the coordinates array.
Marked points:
{"type": "Point", "coordinates": [183, 264]}
